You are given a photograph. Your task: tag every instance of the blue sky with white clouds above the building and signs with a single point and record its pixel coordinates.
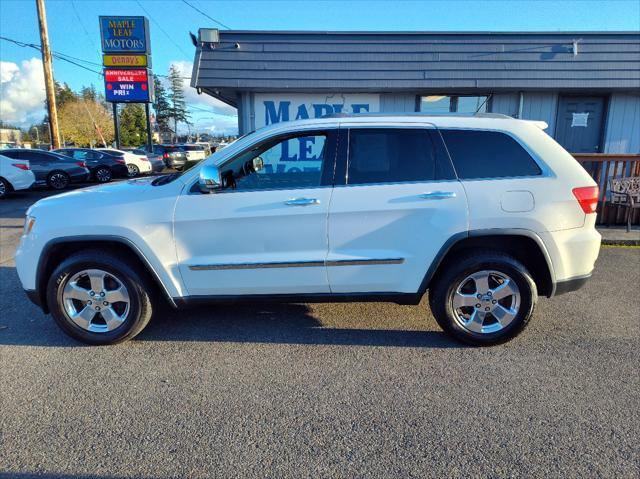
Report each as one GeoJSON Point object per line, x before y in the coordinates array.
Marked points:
{"type": "Point", "coordinates": [73, 30]}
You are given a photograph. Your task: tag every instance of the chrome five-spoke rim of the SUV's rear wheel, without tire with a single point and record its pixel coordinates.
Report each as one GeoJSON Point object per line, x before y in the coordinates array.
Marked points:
{"type": "Point", "coordinates": [486, 302]}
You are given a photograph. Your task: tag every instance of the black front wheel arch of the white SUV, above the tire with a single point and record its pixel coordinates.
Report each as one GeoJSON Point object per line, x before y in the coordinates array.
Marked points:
{"type": "Point", "coordinates": [55, 251]}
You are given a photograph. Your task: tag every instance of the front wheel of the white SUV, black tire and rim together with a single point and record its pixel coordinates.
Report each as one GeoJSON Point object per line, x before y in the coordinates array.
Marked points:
{"type": "Point", "coordinates": [80, 313]}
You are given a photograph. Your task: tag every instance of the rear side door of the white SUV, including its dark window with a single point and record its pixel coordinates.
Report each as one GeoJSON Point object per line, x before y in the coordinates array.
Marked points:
{"type": "Point", "coordinates": [398, 204]}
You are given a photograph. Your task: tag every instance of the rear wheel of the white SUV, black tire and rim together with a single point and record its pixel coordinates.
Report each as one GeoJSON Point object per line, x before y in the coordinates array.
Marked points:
{"type": "Point", "coordinates": [476, 324]}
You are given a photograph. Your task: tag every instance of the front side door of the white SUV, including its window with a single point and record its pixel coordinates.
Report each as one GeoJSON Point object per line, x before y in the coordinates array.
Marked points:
{"type": "Point", "coordinates": [266, 232]}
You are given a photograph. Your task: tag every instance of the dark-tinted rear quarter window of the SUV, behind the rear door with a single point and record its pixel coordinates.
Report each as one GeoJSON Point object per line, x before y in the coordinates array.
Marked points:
{"type": "Point", "coordinates": [488, 154]}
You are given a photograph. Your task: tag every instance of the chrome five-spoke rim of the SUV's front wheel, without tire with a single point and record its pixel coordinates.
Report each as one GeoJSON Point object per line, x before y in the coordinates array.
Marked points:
{"type": "Point", "coordinates": [96, 301]}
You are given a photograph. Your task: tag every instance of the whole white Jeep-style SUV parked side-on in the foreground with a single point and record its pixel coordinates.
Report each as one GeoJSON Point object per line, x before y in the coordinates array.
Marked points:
{"type": "Point", "coordinates": [485, 212]}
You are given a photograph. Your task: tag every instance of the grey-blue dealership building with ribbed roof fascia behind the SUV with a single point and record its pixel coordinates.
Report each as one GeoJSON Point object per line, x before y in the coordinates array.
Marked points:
{"type": "Point", "coordinates": [584, 85]}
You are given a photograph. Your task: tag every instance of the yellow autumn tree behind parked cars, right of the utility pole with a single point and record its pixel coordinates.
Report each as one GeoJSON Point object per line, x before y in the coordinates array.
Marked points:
{"type": "Point", "coordinates": [85, 123]}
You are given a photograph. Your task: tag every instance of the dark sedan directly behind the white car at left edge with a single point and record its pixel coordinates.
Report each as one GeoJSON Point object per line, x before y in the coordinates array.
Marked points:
{"type": "Point", "coordinates": [51, 169]}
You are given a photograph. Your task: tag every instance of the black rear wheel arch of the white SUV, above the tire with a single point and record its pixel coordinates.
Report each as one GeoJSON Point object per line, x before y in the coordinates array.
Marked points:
{"type": "Point", "coordinates": [524, 245]}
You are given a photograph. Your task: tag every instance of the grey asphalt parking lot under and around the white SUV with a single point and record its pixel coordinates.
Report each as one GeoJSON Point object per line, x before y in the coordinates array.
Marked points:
{"type": "Point", "coordinates": [346, 390]}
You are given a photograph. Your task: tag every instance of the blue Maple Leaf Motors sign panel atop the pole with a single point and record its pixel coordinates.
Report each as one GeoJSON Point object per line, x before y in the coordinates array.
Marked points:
{"type": "Point", "coordinates": [124, 34]}
